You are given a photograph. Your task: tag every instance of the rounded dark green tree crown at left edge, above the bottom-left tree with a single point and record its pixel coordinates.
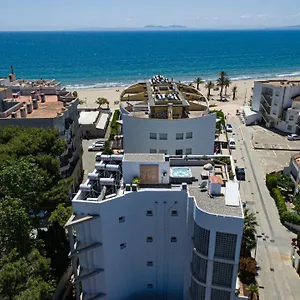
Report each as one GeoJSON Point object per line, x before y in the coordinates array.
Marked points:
{"type": "Point", "coordinates": [15, 226]}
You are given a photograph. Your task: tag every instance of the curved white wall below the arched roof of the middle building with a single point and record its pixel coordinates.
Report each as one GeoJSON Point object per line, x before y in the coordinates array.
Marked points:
{"type": "Point", "coordinates": [137, 131]}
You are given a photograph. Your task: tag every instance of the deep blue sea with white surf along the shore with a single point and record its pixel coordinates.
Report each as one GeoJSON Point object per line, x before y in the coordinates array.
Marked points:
{"type": "Point", "coordinates": [108, 58]}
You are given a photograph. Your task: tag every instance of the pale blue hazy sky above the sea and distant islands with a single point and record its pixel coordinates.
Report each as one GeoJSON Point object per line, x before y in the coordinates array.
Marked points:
{"type": "Point", "coordinates": [96, 14]}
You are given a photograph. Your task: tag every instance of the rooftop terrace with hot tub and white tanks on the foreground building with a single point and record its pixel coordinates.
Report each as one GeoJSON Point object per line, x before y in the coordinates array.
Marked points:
{"type": "Point", "coordinates": [210, 180]}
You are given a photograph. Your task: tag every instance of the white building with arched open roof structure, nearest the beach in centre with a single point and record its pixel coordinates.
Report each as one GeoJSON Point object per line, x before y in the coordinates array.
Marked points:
{"type": "Point", "coordinates": [164, 116]}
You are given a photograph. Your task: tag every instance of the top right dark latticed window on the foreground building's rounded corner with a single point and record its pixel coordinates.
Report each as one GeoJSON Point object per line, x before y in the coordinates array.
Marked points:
{"type": "Point", "coordinates": [225, 245]}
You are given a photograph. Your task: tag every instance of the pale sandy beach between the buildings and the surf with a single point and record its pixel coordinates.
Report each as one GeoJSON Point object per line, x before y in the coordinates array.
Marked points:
{"type": "Point", "coordinates": [243, 95]}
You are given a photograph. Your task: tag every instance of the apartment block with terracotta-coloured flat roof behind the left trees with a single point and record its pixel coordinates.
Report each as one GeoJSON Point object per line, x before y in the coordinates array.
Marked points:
{"type": "Point", "coordinates": [47, 110]}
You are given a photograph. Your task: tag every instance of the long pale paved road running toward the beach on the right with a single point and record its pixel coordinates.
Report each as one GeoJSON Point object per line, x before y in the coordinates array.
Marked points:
{"type": "Point", "coordinates": [277, 278]}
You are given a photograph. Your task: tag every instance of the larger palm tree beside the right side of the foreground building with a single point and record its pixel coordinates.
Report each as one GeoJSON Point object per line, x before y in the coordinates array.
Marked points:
{"type": "Point", "coordinates": [249, 233]}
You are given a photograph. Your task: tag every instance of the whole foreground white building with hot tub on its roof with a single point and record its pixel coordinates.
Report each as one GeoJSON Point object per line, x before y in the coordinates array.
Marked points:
{"type": "Point", "coordinates": [175, 236]}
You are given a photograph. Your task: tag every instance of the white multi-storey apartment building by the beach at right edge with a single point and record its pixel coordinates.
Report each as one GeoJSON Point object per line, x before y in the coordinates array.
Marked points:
{"type": "Point", "coordinates": [278, 102]}
